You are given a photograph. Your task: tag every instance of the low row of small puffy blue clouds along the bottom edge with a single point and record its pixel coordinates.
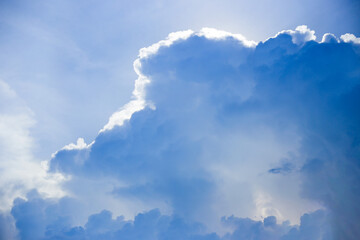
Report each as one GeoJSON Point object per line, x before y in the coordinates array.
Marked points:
{"type": "Point", "coordinates": [37, 218]}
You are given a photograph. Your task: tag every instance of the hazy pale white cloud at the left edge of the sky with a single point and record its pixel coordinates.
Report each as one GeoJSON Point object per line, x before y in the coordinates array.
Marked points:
{"type": "Point", "coordinates": [19, 170]}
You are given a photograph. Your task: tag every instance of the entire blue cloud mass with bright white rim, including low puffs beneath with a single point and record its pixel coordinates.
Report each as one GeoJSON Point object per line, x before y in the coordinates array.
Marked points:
{"type": "Point", "coordinates": [219, 126]}
